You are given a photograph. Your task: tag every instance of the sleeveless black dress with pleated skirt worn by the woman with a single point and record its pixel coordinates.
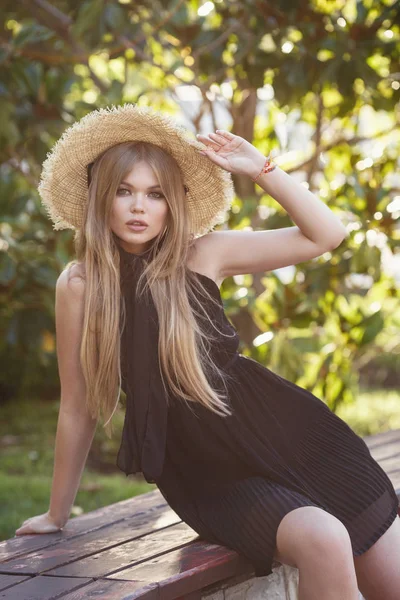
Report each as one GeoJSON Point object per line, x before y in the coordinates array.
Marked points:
{"type": "Point", "coordinates": [233, 479]}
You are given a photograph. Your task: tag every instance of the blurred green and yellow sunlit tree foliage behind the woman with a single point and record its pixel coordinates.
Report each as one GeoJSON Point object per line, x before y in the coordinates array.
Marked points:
{"type": "Point", "coordinates": [316, 82]}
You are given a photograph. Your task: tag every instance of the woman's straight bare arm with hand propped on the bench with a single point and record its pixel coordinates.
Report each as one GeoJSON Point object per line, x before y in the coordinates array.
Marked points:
{"type": "Point", "coordinates": [75, 427]}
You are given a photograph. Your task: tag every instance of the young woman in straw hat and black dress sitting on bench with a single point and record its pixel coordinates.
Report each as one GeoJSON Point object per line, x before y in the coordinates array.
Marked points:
{"type": "Point", "coordinates": [248, 459]}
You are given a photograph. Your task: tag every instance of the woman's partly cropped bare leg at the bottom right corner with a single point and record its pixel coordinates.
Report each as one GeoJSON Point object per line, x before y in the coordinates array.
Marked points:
{"type": "Point", "coordinates": [378, 569]}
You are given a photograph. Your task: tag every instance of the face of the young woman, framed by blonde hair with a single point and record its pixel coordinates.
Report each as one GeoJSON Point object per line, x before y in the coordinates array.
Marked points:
{"type": "Point", "coordinates": [138, 196]}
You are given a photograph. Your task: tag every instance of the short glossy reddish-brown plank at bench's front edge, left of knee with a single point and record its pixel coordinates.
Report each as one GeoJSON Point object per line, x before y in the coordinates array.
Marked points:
{"type": "Point", "coordinates": [188, 569]}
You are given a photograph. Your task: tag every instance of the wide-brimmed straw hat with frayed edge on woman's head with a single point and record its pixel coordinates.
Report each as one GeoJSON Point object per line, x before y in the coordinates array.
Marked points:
{"type": "Point", "coordinates": [63, 183]}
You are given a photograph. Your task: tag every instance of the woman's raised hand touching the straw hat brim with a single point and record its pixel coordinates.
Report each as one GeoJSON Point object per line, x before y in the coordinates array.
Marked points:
{"type": "Point", "coordinates": [232, 152]}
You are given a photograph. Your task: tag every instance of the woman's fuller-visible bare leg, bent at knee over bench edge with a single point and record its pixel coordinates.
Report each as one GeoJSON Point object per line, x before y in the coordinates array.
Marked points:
{"type": "Point", "coordinates": [318, 544]}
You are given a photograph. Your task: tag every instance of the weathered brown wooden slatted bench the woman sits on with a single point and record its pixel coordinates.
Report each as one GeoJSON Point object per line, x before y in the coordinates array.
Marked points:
{"type": "Point", "coordinates": [140, 548]}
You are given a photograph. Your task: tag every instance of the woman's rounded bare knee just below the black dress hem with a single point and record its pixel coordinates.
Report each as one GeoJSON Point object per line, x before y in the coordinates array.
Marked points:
{"type": "Point", "coordinates": [310, 533]}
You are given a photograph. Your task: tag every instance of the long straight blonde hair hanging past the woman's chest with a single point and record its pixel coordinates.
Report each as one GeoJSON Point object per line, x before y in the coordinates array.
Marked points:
{"type": "Point", "coordinates": [183, 347]}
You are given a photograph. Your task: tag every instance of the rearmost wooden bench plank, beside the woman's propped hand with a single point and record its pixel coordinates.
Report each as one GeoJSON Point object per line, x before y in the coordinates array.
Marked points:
{"type": "Point", "coordinates": [151, 503]}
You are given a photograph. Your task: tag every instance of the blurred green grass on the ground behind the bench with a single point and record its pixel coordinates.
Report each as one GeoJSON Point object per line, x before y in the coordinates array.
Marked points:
{"type": "Point", "coordinates": [27, 433]}
